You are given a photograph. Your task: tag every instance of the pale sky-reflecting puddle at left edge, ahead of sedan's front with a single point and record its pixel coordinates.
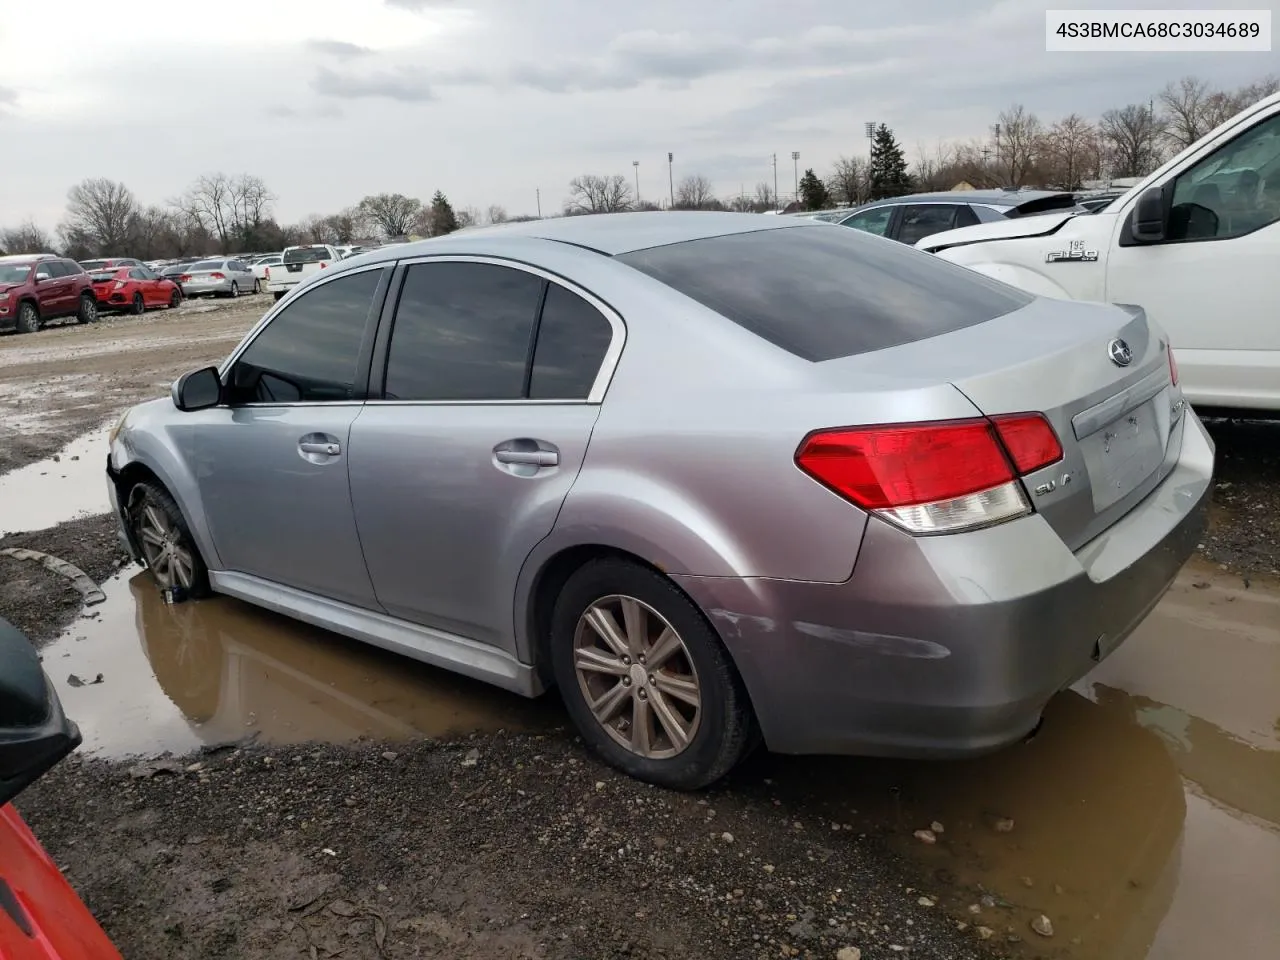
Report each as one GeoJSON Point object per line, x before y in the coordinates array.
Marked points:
{"type": "Point", "coordinates": [47, 493]}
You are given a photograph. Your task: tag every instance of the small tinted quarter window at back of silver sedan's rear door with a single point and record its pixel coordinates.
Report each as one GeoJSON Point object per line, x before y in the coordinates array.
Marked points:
{"type": "Point", "coordinates": [573, 339]}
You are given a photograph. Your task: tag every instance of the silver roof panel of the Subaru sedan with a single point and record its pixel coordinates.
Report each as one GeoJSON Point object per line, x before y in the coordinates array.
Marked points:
{"type": "Point", "coordinates": [610, 234]}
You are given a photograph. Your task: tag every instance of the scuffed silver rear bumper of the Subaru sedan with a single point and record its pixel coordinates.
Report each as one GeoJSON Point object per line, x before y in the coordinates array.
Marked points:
{"type": "Point", "coordinates": [953, 646]}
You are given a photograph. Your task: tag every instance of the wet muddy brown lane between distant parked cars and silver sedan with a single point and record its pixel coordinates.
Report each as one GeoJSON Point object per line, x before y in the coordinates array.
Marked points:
{"type": "Point", "coordinates": [67, 381]}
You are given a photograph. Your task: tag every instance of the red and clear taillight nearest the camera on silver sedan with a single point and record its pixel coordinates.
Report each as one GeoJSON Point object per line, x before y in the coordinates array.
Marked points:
{"type": "Point", "coordinates": [938, 477]}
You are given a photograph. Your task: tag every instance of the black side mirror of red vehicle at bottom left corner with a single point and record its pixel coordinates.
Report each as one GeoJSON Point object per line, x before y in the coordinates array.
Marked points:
{"type": "Point", "coordinates": [34, 732]}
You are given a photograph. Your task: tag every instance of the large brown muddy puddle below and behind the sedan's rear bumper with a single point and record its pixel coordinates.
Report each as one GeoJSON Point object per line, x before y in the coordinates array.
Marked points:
{"type": "Point", "coordinates": [1146, 813]}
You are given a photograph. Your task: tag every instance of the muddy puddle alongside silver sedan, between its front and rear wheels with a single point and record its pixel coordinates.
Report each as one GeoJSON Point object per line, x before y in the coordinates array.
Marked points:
{"type": "Point", "coordinates": [217, 671]}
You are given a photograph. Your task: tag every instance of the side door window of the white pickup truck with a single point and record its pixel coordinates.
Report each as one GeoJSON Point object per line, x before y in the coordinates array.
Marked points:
{"type": "Point", "coordinates": [1233, 191]}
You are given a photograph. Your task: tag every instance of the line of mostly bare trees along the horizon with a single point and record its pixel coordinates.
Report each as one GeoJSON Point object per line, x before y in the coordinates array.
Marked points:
{"type": "Point", "coordinates": [235, 214]}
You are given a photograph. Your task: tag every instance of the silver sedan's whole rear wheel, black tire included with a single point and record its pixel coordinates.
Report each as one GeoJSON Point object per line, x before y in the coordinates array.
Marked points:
{"type": "Point", "coordinates": [715, 734]}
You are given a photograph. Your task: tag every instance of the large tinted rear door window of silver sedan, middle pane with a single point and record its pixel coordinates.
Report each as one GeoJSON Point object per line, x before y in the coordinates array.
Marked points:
{"type": "Point", "coordinates": [463, 332]}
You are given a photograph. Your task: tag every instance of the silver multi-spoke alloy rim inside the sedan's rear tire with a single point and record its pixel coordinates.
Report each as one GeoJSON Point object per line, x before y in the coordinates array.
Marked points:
{"type": "Point", "coordinates": [638, 678]}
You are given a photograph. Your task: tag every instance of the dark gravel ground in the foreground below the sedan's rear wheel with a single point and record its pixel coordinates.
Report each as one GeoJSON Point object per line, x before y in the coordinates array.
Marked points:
{"type": "Point", "coordinates": [501, 847]}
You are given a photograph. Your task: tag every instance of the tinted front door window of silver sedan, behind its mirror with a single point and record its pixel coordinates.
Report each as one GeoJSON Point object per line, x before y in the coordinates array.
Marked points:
{"type": "Point", "coordinates": [310, 350]}
